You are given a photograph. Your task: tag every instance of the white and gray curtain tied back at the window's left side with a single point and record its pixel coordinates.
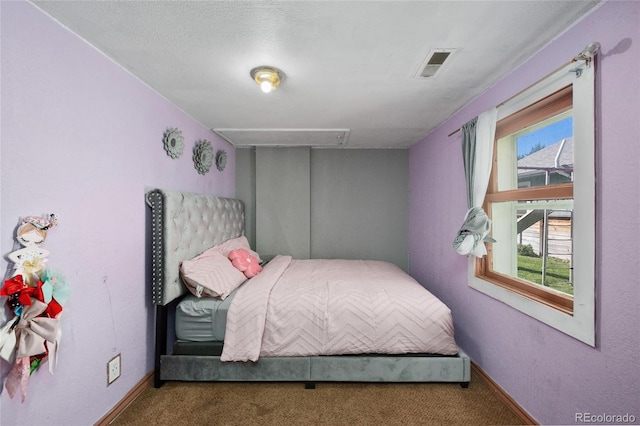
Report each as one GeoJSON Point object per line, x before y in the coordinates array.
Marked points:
{"type": "Point", "coordinates": [477, 147]}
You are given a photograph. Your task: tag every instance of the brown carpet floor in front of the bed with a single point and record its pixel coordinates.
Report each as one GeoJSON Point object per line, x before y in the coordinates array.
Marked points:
{"type": "Point", "coordinates": [223, 403]}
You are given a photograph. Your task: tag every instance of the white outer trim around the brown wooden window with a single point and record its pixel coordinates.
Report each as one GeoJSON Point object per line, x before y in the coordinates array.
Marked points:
{"type": "Point", "coordinates": [580, 325]}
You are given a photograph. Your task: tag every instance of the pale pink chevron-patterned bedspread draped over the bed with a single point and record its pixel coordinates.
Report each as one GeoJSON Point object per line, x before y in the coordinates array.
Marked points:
{"type": "Point", "coordinates": [335, 307]}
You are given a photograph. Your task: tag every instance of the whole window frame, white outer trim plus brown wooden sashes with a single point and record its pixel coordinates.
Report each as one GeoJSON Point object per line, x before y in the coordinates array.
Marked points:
{"type": "Point", "coordinates": [575, 315]}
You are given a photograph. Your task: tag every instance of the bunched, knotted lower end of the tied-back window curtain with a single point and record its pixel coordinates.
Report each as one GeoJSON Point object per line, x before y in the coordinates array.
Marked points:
{"type": "Point", "coordinates": [473, 233]}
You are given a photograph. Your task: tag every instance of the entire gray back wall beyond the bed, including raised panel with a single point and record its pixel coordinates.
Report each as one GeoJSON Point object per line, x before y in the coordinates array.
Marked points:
{"type": "Point", "coordinates": [358, 202]}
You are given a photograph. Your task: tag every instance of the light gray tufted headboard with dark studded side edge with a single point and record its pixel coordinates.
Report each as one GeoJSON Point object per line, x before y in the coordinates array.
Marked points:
{"type": "Point", "coordinates": [183, 225]}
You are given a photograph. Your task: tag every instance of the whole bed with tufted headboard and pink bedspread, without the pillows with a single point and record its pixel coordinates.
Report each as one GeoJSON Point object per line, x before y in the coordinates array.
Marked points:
{"type": "Point", "coordinates": [210, 344]}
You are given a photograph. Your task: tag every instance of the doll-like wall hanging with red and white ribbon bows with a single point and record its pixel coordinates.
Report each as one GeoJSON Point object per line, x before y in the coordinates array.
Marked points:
{"type": "Point", "coordinates": [35, 296]}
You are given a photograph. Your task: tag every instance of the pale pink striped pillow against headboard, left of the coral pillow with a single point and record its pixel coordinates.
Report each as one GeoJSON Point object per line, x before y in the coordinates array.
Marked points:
{"type": "Point", "coordinates": [211, 274]}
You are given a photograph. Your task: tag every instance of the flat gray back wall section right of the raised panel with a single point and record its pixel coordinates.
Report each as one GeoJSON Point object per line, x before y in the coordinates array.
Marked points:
{"type": "Point", "coordinates": [359, 204]}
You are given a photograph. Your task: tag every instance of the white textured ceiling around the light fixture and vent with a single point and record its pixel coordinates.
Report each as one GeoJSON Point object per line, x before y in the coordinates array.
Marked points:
{"type": "Point", "coordinates": [349, 65]}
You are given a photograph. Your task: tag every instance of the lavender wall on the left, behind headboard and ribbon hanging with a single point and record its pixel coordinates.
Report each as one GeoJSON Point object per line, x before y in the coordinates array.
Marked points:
{"type": "Point", "coordinates": [82, 138]}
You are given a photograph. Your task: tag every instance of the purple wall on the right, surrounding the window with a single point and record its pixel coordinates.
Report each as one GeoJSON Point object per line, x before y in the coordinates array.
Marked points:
{"type": "Point", "coordinates": [549, 374]}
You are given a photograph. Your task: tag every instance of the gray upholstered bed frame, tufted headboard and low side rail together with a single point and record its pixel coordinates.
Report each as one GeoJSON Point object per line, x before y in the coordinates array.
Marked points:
{"type": "Point", "coordinates": [185, 224]}
